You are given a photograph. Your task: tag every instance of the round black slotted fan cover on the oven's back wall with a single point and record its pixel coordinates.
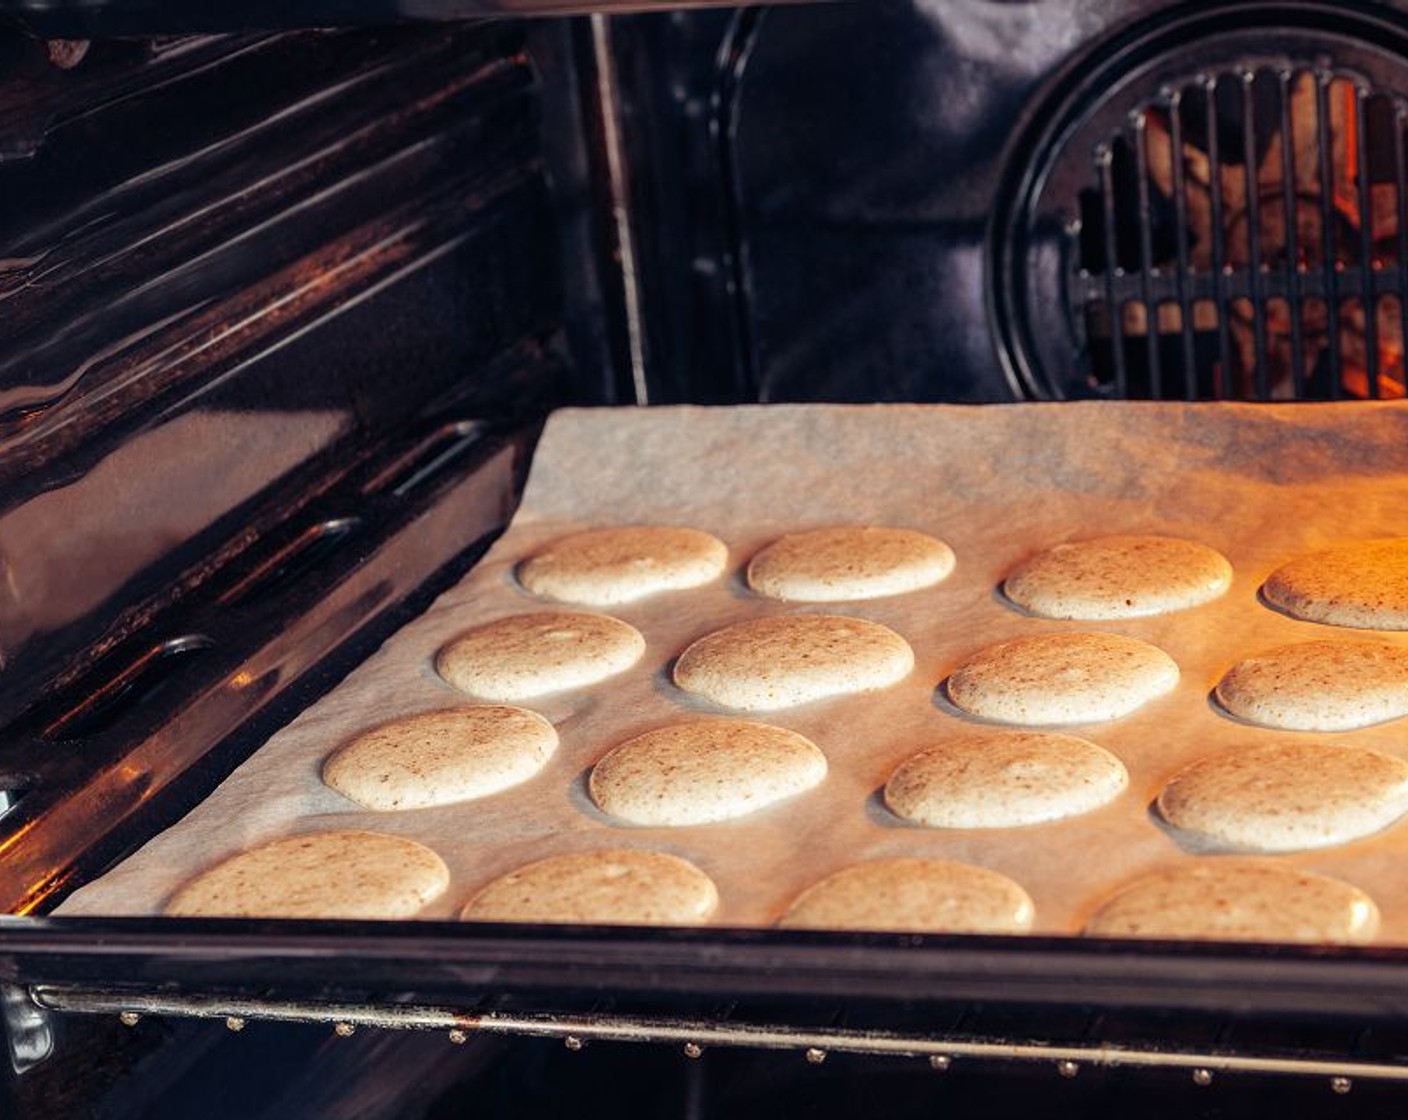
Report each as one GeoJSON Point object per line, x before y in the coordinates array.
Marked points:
{"type": "Point", "coordinates": [1207, 206]}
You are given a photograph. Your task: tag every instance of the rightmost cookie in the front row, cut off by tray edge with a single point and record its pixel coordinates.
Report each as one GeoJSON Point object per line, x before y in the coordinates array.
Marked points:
{"type": "Point", "coordinates": [1238, 901]}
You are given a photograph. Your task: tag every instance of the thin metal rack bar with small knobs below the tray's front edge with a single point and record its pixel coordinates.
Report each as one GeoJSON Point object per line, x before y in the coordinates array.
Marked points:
{"type": "Point", "coordinates": [695, 1036]}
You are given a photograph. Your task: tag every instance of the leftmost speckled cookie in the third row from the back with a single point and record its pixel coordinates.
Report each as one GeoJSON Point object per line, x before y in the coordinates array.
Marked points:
{"type": "Point", "coordinates": [441, 757]}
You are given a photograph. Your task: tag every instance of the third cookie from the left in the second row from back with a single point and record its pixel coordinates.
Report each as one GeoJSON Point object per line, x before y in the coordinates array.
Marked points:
{"type": "Point", "coordinates": [1062, 678]}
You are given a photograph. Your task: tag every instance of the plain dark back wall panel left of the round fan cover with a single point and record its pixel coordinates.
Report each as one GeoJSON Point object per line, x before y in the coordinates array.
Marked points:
{"type": "Point", "coordinates": [812, 189]}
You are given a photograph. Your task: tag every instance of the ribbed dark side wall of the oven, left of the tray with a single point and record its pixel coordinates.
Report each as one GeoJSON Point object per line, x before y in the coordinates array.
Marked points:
{"type": "Point", "coordinates": [232, 268]}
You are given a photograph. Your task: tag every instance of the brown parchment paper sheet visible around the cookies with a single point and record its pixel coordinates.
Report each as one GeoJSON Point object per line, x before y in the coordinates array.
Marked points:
{"type": "Point", "coordinates": [1262, 484]}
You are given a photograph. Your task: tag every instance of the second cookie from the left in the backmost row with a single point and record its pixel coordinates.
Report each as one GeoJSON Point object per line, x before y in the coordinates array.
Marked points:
{"type": "Point", "coordinates": [829, 566]}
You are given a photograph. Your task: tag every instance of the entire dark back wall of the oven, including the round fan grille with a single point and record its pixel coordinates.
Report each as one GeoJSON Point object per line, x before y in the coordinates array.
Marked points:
{"type": "Point", "coordinates": [974, 201]}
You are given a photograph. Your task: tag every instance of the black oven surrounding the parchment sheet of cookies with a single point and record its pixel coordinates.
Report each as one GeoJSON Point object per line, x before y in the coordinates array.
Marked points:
{"type": "Point", "coordinates": [289, 292]}
